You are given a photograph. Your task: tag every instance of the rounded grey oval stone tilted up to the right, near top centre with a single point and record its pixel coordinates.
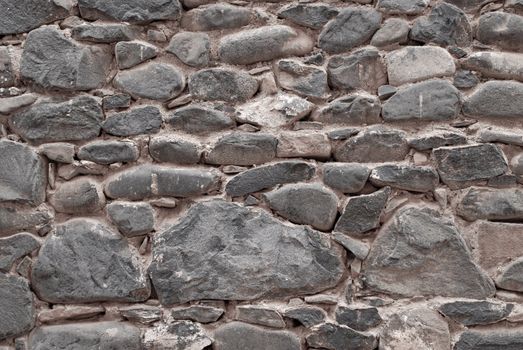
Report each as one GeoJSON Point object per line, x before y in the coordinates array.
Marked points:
{"type": "Point", "coordinates": [352, 27]}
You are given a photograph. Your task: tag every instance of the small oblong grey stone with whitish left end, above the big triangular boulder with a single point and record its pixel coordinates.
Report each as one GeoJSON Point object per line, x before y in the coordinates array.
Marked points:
{"type": "Point", "coordinates": [405, 177]}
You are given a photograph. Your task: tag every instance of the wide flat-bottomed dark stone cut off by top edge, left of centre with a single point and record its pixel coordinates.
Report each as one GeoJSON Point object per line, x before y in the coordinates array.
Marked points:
{"type": "Point", "coordinates": [135, 11]}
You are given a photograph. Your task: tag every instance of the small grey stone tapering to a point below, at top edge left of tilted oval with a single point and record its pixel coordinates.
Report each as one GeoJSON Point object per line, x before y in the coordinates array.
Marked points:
{"type": "Point", "coordinates": [314, 15]}
